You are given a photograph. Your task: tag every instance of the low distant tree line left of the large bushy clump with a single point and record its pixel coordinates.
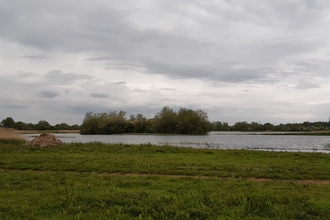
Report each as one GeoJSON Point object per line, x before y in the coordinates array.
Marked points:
{"type": "Point", "coordinates": [9, 122]}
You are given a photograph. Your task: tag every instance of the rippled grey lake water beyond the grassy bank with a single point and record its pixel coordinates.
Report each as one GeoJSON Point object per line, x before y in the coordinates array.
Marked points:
{"type": "Point", "coordinates": [214, 140]}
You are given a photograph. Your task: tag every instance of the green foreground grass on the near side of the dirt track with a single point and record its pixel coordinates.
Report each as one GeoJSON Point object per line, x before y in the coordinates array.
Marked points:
{"type": "Point", "coordinates": [60, 195]}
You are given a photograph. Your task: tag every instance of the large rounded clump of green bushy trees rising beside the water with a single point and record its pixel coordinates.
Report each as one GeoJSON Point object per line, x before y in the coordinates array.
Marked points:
{"type": "Point", "coordinates": [167, 121]}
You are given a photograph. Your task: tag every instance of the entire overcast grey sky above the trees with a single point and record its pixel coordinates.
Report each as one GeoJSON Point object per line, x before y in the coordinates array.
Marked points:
{"type": "Point", "coordinates": [238, 60]}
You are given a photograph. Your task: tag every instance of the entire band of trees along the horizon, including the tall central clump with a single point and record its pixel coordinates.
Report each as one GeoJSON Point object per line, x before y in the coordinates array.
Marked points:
{"type": "Point", "coordinates": [167, 121]}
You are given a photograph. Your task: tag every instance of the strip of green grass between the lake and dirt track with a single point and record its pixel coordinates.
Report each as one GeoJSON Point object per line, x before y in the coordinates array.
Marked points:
{"type": "Point", "coordinates": [107, 158]}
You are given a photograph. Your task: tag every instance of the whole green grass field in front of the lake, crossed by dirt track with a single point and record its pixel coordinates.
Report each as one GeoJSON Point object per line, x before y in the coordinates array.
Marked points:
{"type": "Point", "coordinates": [103, 181]}
